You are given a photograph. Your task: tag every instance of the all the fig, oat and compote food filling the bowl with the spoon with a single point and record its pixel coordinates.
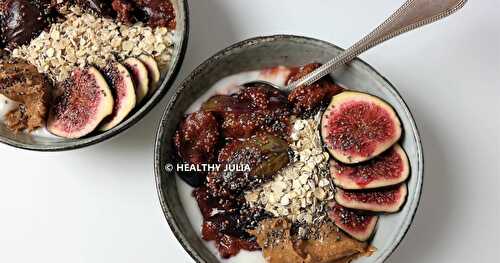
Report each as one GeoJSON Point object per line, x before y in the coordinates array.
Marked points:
{"type": "Point", "coordinates": [273, 176]}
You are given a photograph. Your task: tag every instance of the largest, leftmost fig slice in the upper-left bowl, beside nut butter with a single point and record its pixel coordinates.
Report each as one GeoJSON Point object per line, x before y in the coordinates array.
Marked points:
{"type": "Point", "coordinates": [84, 100]}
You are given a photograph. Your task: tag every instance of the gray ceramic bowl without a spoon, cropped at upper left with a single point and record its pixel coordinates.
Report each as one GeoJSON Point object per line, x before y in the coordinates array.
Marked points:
{"type": "Point", "coordinates": [39, 143]}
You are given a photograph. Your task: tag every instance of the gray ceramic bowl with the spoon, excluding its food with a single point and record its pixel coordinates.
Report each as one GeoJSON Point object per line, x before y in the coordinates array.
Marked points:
{"type": "Point", "coordinates": [264, 52]}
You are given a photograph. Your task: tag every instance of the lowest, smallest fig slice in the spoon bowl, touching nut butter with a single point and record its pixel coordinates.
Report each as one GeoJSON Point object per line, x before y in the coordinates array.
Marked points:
{"type": "Point", "coordinates": [358, 224]}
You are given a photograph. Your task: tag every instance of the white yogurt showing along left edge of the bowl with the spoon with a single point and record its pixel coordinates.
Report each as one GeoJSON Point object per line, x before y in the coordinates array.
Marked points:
{"type": "Point", "coordinates": [226, 86]}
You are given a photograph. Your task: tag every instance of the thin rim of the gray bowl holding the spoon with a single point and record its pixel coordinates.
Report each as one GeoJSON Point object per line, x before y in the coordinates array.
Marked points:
{"type": "Point", "coordinates": [166, 207]}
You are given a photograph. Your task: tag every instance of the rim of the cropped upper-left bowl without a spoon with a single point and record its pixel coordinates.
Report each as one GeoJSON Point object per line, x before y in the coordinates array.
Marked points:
{"type": "Point", "coordinates": [160, 92]}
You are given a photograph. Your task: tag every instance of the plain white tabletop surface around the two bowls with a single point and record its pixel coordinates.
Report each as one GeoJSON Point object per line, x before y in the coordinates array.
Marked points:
{"type": "Point", "coordinates": [99, 204]}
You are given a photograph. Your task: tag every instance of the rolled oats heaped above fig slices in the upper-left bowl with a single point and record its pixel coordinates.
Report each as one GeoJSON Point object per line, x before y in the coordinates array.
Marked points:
{"type": "Point", "coordinates": [83, 39]}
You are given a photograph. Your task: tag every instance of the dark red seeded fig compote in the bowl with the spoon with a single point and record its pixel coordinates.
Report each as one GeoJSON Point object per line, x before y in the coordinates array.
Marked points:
{"type": "Point", "coordinates": [246, 129]}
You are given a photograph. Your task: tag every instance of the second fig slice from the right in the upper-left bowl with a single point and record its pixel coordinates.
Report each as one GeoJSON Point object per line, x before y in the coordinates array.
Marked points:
{"type": "Point", "coordinates": [140, 77]}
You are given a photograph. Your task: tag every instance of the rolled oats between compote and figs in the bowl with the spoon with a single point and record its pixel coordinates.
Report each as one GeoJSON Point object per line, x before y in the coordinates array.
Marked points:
{"type": "Point", "coordinates": [301, 190]}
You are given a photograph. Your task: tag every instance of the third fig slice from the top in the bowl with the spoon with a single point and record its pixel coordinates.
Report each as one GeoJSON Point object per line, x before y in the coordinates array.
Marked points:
{"type": "Point", "coordinates": [387, 200]}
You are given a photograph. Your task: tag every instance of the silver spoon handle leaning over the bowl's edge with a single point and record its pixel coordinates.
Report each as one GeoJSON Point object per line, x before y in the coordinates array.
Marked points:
{"type": "Point", "coordinates": [411, 15]}
